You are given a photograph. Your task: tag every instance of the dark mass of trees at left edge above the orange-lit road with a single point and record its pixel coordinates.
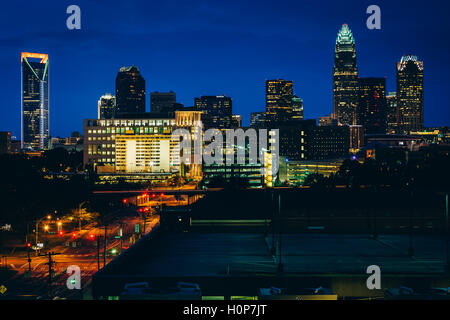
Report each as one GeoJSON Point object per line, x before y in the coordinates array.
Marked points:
{"type": "Point", "coordinates": [27, 191]}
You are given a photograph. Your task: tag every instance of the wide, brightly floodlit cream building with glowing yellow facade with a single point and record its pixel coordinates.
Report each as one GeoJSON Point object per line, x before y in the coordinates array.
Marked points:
{"type": "Point", "coordinates": [102, 151]}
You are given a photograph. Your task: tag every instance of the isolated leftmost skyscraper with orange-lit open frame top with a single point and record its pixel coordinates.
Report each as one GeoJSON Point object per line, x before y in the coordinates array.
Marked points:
{"type": "Point", "coordinates": [35, 101]}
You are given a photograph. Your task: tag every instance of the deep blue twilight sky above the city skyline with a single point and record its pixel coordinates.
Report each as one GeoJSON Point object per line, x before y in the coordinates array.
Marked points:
{"type": "Point", "coordinates": [216, 47]}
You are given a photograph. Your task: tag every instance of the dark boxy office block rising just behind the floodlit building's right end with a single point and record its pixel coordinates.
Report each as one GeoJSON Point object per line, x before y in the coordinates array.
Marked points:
{"type": "Point", "coordinates": [217, 111]}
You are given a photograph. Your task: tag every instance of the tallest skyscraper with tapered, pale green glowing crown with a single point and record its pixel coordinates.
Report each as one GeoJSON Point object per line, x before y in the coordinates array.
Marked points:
{"type": "Point", "coordinates": [345, 78]}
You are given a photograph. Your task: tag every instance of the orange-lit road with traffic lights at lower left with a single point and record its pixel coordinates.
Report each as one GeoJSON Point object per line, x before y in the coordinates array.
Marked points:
{"type": "Point", "coordinates": [26, 284]}
